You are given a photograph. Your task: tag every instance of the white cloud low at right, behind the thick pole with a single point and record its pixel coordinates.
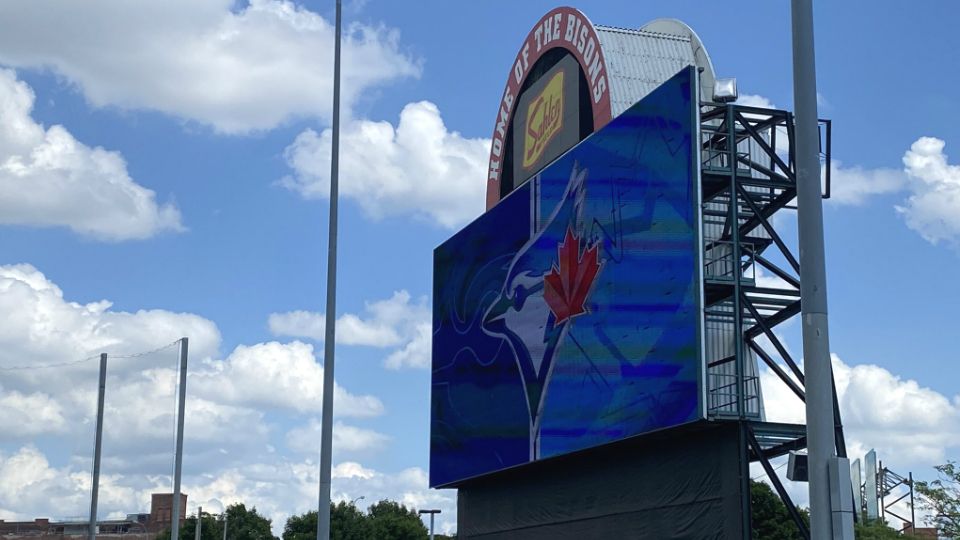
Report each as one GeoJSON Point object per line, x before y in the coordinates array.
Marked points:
{"type": "Point", "coordinates": [911, 427]}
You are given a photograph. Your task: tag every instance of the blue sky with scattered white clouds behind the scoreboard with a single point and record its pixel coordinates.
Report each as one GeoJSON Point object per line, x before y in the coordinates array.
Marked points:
{"type": "Point", "coordinates": [164, 169]}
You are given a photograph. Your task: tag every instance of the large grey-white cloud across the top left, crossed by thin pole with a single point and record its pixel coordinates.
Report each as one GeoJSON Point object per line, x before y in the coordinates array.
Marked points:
{"type": "Point", "coordinates": [234, 68]}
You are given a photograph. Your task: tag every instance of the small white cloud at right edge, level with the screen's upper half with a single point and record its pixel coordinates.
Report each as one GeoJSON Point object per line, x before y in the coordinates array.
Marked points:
{"type": "Point", "coordinates": [933, 208]}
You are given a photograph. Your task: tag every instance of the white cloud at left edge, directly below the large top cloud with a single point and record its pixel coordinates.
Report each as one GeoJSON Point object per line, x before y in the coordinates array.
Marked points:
{"type": "Point", "coordinates": [50, 179]}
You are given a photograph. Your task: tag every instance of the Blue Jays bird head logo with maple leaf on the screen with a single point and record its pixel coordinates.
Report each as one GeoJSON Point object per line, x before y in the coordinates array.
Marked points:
{"type": "Point", "coordinates": [524, 314]}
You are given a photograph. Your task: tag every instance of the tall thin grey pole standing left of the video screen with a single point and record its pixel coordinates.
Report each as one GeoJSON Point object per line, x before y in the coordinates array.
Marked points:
{"type": "Point", "coordinates": [326, 430]}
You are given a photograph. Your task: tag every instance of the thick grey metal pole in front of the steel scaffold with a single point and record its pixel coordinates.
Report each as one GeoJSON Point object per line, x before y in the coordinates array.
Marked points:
{"type": "Point", "coordinates": [818, 374]}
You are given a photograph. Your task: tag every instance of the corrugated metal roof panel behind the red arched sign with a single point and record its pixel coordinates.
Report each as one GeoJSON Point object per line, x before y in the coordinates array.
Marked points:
{"type": "Point", "coordinates": [639, 61]}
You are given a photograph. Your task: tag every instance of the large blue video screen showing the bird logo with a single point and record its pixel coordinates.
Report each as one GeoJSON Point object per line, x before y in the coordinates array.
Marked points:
{"type": "Point", "coordinates": [567, 316]}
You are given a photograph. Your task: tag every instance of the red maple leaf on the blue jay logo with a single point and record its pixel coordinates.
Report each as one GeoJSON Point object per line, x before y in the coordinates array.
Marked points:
{"type": "Point", "coordinates": [567, 285]}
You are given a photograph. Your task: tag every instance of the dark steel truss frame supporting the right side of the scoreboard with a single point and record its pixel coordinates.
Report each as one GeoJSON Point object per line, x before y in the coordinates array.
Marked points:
{"type": "Point", "coordinates": [748, 179]}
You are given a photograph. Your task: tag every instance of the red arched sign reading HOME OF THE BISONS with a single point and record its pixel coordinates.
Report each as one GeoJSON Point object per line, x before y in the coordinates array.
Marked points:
{"type": "Point", "coordinates": [566, 28]}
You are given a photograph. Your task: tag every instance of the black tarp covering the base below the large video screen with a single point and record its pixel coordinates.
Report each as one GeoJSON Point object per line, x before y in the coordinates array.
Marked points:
{"type": "Point", "coordinates": [681, 484]}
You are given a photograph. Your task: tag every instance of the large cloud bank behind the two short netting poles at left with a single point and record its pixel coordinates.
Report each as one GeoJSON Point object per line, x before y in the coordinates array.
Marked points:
{"type": "Point", "coordinates": [227, 400]}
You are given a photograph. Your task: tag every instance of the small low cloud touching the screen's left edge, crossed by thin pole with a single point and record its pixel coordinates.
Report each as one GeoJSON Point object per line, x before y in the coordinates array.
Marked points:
{"type": "Point", "coordinates": [397, 322]}
